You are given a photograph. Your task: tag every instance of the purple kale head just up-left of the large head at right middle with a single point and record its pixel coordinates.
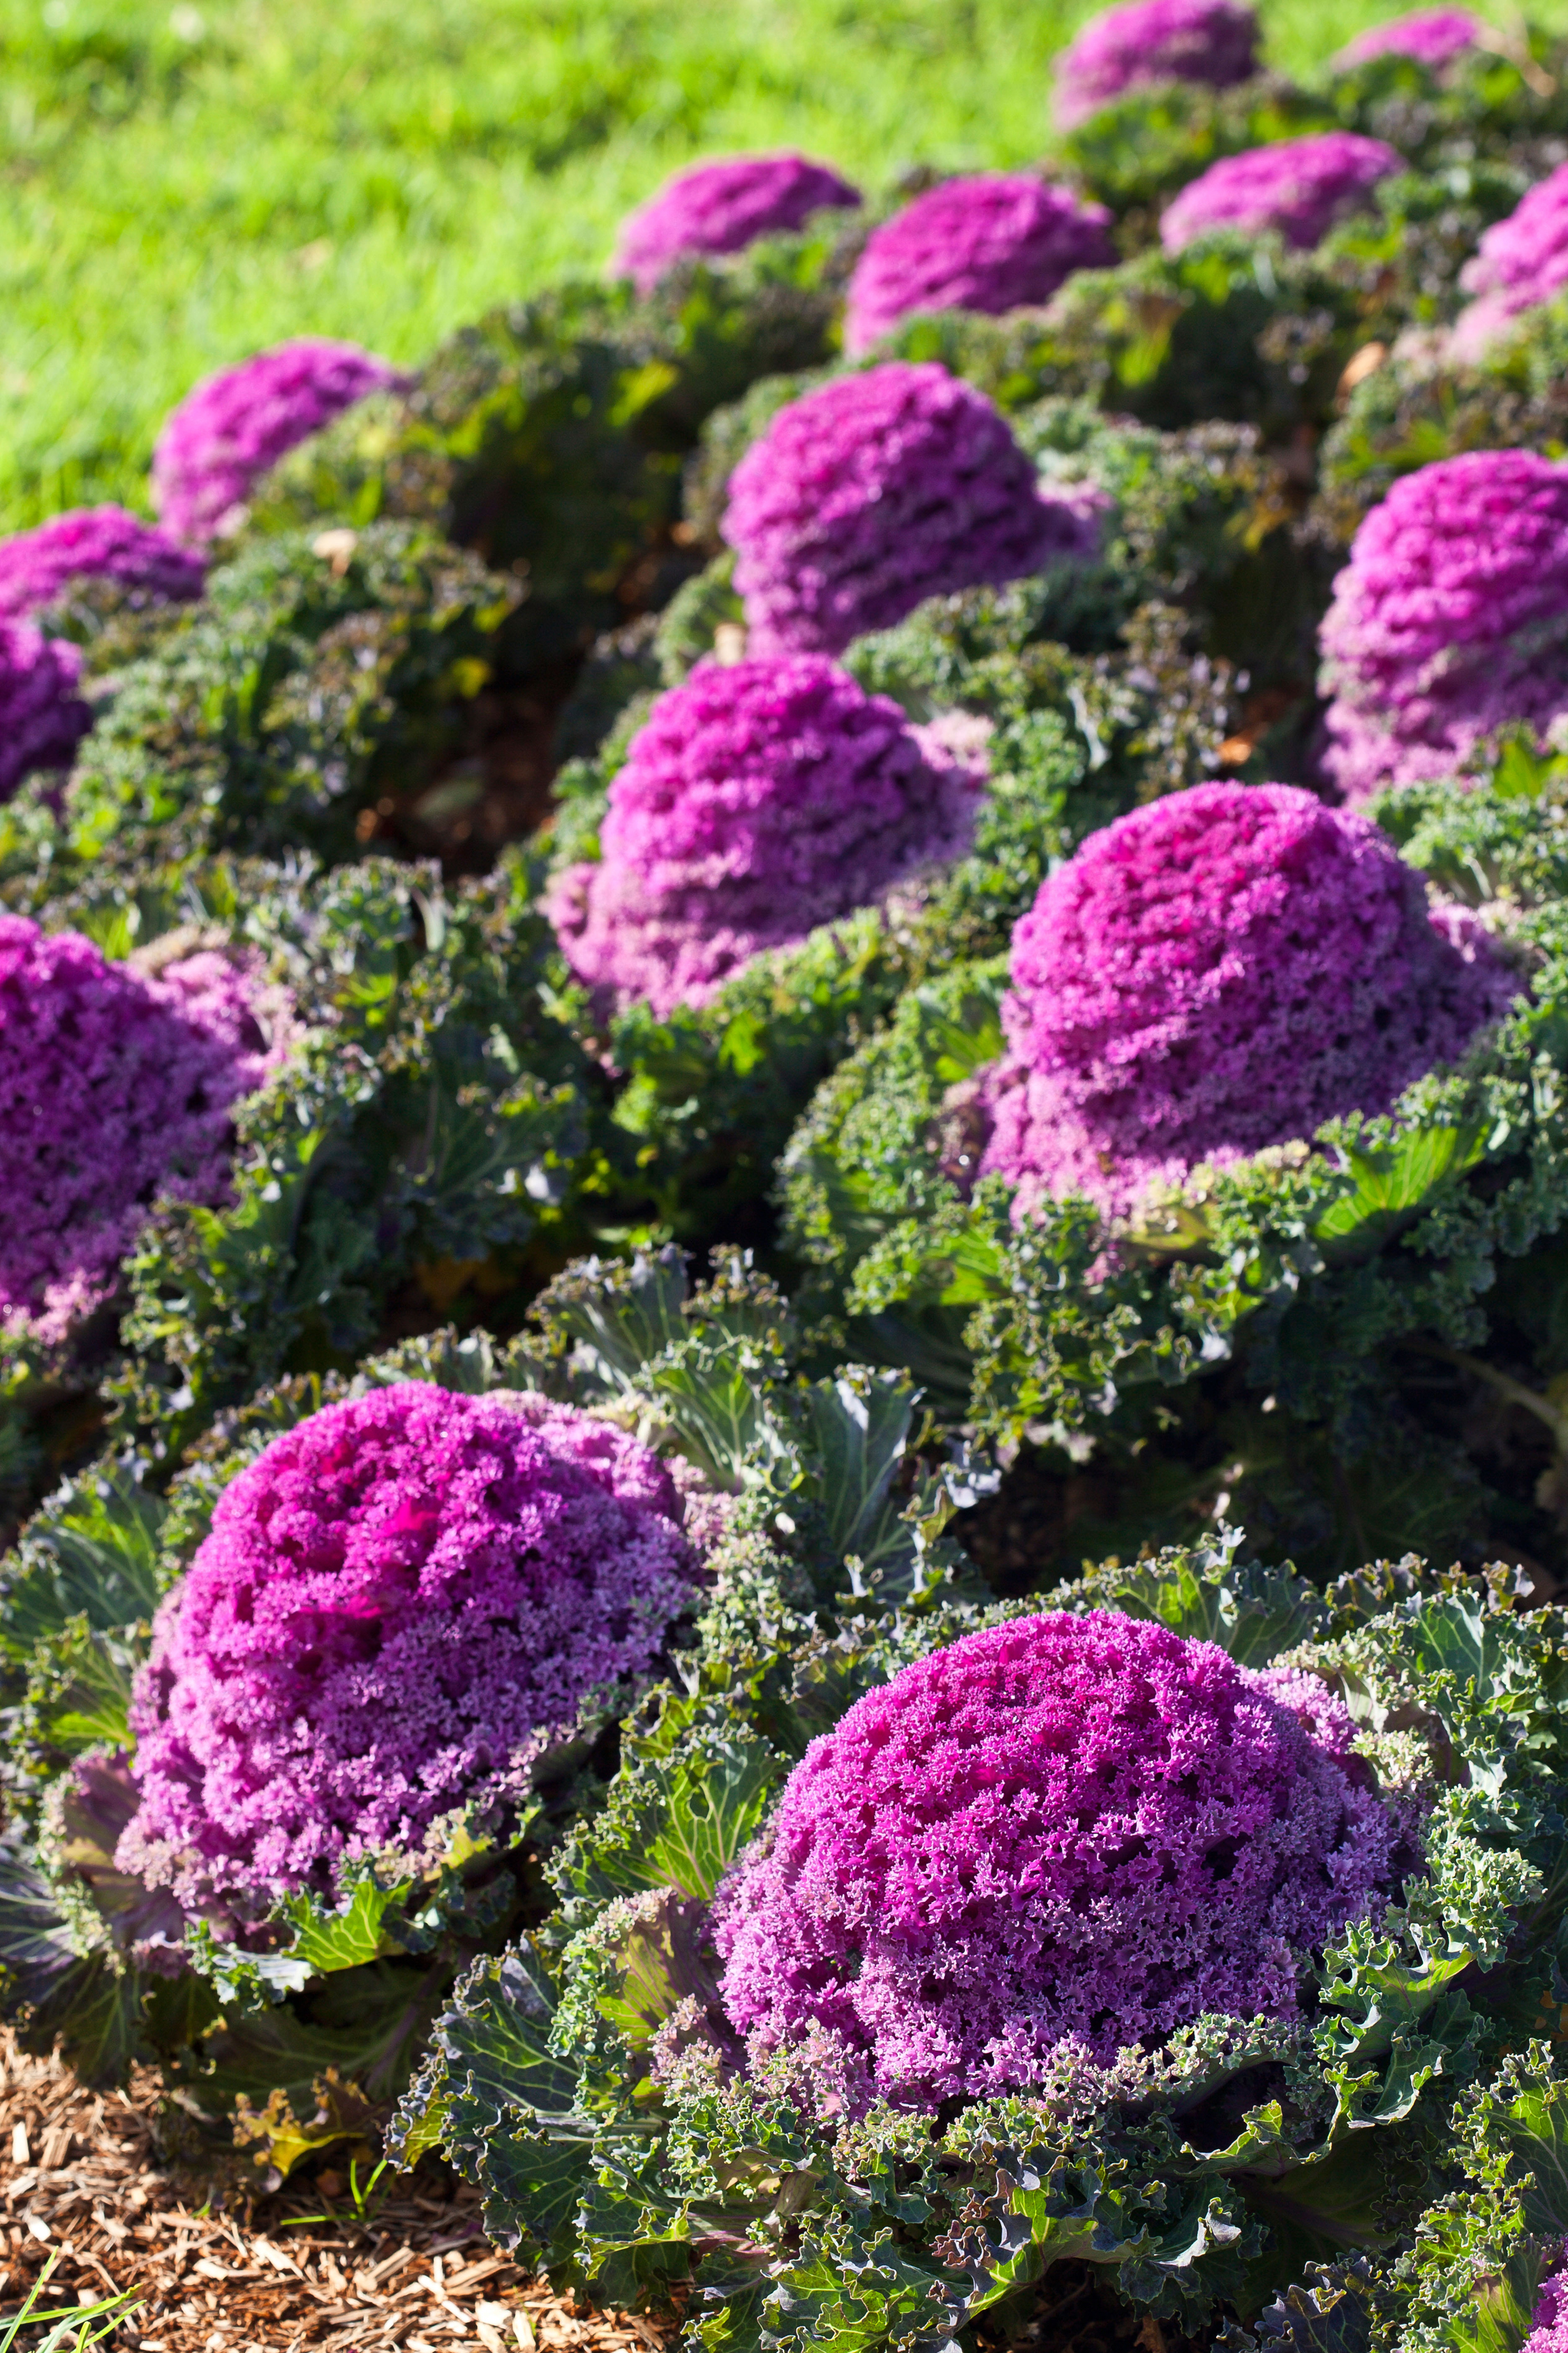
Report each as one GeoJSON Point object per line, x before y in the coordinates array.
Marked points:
{"type": "Point", "coordinates": [757, 804]}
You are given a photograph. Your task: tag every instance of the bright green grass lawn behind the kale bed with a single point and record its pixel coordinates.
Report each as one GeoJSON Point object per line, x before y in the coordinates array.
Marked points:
{"type": "Point", "coordinates": [187, 185]}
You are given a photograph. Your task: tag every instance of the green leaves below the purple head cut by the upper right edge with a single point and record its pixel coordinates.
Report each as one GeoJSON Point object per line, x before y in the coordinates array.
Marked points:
{"type": "Point", "coordinates": [1418, 411]}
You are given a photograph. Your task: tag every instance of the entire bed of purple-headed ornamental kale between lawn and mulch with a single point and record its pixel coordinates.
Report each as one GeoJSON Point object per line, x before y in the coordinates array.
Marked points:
{"type": "Point", "coordinates": [722, 1029]}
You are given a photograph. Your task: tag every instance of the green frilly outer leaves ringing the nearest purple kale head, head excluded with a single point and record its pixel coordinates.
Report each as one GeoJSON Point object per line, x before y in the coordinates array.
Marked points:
{"type": "Point", "coordinates": [1211, 2173]}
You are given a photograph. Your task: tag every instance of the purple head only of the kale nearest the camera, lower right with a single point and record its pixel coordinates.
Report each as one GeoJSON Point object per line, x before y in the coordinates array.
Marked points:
{"type": "Point", "coordinates": [1063, 1832]}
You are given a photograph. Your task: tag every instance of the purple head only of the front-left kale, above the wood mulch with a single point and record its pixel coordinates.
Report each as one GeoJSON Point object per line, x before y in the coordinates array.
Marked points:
{"type": "Point", "coordinates": [404, 1604]}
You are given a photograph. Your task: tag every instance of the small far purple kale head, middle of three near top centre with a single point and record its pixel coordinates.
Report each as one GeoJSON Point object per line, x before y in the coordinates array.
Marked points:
{"type": "Point", "coordinates": [992, 244]}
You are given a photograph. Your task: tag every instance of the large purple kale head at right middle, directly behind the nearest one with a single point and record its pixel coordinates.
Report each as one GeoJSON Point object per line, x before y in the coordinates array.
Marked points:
{"type": "Point", "coordinates": [1216, 973]}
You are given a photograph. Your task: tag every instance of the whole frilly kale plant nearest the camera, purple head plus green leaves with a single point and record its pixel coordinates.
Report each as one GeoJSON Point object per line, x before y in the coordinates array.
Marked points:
{"type": "Point", "coordinates": [693, 2079]}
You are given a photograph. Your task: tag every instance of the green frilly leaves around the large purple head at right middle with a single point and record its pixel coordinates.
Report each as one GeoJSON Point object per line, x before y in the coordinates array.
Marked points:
{"type": "Point", "coordinates": [1357, 1347]}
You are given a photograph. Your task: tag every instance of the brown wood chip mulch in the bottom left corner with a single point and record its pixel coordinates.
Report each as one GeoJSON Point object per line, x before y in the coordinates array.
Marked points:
{"type": "Point", "coordinates": [218, 2267]}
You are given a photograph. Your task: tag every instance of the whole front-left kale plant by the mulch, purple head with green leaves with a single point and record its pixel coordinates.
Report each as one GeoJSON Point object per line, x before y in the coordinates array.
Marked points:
{"type": "Point", "coordinates": [394, 1625]}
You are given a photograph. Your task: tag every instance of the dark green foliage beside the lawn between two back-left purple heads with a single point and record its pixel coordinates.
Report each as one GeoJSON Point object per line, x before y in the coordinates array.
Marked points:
{"type": "Point", "coordinates": [550, 439]}
